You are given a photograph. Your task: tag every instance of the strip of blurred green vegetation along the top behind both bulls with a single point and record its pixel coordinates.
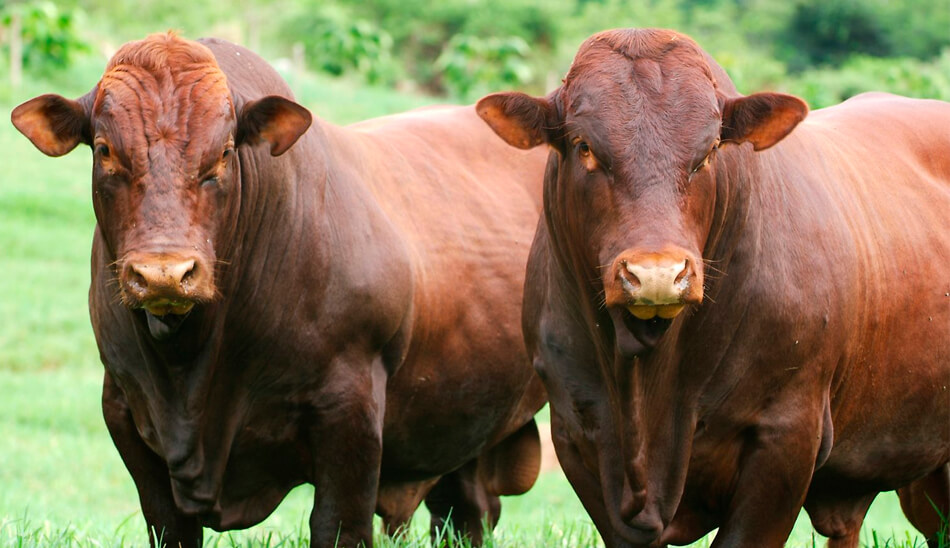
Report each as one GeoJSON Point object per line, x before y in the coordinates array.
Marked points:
{"type": "Point", "coordinates": [823, 50]}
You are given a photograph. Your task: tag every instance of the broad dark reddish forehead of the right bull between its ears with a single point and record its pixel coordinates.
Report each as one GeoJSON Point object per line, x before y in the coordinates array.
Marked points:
{"type": "Point", "coordinates": [644, 97]}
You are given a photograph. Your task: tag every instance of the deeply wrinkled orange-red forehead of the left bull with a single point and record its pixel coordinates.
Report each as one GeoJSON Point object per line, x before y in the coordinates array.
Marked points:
{"type": "Point", "coordinates": [163, 89]}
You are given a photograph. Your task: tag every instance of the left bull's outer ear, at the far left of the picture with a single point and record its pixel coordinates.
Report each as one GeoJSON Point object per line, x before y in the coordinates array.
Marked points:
{"type": "Point", "coordinates": [54, 124]}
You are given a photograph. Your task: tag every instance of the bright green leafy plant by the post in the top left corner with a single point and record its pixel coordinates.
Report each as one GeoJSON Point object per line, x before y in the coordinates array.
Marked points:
{"type": "Point", "coordinates": [51, 38]}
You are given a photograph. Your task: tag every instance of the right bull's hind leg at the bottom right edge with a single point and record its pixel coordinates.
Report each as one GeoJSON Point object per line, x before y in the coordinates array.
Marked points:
{"type": "Point", "coordinates": [926, 503]}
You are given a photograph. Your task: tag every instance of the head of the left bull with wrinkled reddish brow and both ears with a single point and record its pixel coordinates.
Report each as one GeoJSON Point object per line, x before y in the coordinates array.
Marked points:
{"type": "Point", "coordinates": [164, 131]}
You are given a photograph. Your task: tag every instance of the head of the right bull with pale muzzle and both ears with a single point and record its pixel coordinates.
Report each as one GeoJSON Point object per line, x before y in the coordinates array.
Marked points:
{"type": "Point", "coordinates": [635, 183]}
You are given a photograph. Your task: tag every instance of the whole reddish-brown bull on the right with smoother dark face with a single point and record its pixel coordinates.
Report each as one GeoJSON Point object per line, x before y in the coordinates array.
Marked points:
{"type": "Point", "coordinates": [734, 319]}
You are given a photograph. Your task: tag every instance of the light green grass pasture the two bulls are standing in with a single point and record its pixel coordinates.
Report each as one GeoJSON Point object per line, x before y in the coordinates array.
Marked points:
{"type": "Point", "coordinates": [61, 480]}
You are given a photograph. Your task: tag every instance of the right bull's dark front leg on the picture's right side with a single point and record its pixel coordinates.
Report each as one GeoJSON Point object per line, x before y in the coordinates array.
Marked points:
{"type": "Point", "coordinates": [774, 475]}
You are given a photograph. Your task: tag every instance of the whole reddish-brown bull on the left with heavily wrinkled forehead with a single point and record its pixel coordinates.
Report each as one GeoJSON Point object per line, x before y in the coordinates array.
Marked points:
{"type": "Point", "coordinates": [278, 303]}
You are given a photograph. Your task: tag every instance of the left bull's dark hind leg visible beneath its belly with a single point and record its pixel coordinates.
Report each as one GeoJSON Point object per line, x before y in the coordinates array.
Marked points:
{"type": "Point", "coordinates": [461, 501]}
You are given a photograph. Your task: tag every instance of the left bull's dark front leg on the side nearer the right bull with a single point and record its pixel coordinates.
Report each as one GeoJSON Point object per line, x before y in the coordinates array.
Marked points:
{"type": "Point", "coordinates": [346, 445]}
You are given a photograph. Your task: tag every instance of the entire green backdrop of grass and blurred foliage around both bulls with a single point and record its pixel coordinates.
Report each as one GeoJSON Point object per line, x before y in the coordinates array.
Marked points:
{"type": "Point", "coordinates": [61, 481]}
